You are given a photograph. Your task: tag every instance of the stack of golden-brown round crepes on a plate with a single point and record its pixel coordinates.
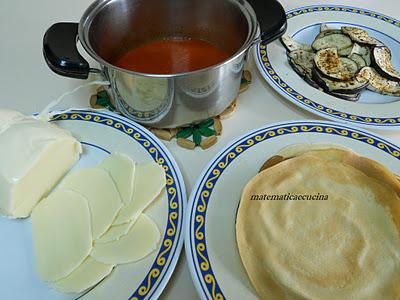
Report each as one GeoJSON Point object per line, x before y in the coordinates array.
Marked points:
{"type": "Point", "coordinates": [345, 247]}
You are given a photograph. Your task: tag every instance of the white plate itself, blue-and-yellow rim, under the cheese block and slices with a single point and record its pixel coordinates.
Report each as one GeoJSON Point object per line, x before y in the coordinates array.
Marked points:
{"type": "Point", "coordinates": [103, 133]}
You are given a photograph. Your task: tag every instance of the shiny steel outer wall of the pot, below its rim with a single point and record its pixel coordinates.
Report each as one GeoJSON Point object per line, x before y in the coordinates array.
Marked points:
{"type": "Point", "coordinates": [175, 101]}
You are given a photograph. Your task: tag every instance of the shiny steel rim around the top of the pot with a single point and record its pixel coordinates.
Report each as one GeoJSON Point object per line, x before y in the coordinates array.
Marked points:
{"type": "Point", "coordinates": [98, 5]}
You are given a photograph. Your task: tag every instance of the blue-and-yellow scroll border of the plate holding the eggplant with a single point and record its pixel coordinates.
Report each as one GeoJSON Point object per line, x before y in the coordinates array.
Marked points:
{"type": "Point", "coordinates": [311, 105]}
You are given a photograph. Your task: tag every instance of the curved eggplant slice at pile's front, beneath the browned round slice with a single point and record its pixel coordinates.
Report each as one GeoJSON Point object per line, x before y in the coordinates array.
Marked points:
{"type": "Point", "coordinates": [351, 86]}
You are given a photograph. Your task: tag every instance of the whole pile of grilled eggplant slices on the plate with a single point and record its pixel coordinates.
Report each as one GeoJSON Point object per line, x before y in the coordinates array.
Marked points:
{"type": "Point", "coordinates": [343, 62]}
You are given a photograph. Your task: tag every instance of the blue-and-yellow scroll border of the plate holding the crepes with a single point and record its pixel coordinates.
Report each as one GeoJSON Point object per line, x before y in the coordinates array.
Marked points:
{"type": "Point", "coordinates": [195, 236]}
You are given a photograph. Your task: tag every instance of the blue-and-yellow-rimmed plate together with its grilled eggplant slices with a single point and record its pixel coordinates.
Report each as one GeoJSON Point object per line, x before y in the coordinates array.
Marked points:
{"type": "Point", "coordinates": [339, 62]}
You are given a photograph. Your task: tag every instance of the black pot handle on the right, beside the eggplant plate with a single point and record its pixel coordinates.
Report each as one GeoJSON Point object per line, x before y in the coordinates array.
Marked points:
{"type": "Point", "coordinates": [272, 19]}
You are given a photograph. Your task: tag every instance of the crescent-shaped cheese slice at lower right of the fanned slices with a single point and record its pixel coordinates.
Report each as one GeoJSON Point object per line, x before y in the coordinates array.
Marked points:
{"type": "Point", "coordinates": [140, 241]}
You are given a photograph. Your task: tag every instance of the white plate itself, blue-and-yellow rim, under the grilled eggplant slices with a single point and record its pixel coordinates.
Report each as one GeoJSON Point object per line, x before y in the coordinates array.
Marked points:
{"type": "Point", "coordinates": [372, 110]}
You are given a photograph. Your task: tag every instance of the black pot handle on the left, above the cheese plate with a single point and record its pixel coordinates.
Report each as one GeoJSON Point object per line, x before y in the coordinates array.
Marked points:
{"type": "Point", "coordinates": [61, 53]}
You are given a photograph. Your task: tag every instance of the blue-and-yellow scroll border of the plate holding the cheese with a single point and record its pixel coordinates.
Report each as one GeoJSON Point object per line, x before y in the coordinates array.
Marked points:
{"type": "Point", "coordinates": [156, 279]}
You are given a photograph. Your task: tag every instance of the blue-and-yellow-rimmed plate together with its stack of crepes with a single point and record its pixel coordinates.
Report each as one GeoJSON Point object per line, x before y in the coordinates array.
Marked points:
{"type": "Point", "coordinates": [298, 210]}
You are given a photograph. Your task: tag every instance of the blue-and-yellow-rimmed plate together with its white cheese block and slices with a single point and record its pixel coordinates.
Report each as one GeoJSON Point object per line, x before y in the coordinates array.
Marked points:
{"type": "Point", "coordinates": [91, 207]}
